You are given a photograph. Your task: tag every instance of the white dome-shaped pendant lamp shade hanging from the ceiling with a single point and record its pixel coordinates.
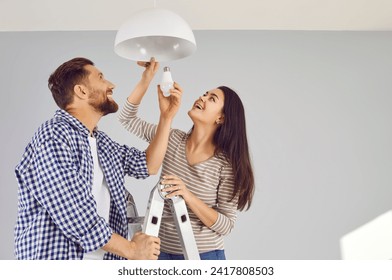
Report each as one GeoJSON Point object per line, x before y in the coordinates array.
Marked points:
{"type": "Point", "coordinates": [155, 32]}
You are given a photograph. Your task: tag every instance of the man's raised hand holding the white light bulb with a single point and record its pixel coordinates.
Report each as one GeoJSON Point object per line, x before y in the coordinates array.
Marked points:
{"type": "Point", "coordinates": [169, 105]}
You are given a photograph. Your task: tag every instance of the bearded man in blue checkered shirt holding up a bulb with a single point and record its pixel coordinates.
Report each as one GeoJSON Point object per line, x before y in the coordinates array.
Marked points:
{"type": "Point", "coordinates": [71, 198]}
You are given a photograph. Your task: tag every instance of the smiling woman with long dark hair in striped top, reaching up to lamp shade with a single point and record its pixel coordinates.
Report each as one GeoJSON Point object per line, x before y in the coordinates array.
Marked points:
{"type": "Point", "coordinates": [209, 166]}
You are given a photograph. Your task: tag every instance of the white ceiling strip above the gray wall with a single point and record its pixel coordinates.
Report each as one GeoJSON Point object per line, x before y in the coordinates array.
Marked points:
{"type": "Point", "coordinates": [43, 15]}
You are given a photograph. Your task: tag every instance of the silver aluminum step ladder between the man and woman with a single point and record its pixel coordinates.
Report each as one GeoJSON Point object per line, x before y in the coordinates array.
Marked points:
{"type": "Point", "coordinates": [153, 219]}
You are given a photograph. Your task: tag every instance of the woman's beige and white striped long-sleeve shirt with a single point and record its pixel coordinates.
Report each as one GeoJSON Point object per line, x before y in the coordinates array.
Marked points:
{"type": "Point", "coordinates": [211, 180]}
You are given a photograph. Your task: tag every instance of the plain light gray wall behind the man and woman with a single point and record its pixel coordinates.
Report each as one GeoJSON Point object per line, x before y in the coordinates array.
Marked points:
{"type": "Point", "coordinates": [318, 108]}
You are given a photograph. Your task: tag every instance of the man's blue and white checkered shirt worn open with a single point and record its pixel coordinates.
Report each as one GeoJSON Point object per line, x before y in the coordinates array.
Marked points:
{"type": "Point", "coordinates": [57, 215]}
